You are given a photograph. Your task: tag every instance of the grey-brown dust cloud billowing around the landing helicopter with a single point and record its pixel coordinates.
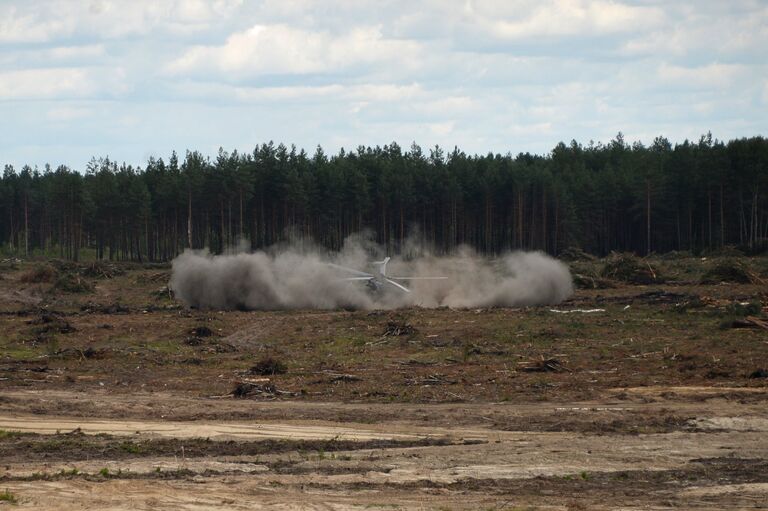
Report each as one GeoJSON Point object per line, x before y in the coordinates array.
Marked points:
{"type": "Point", "coordinates": [298, 277]}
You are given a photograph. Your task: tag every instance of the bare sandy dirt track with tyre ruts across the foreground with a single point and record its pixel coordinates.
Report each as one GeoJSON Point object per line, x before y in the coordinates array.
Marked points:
{"type": "Point", "coordinates": [691, 465]}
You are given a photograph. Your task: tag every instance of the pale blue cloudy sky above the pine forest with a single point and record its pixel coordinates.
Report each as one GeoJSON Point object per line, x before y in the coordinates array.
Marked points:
{"type": "Point", "coordinates": [138, 78]}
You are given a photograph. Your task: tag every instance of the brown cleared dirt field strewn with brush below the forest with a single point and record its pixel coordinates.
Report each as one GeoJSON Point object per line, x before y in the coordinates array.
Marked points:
{"type": "Point", "coordinates": [625, 397]}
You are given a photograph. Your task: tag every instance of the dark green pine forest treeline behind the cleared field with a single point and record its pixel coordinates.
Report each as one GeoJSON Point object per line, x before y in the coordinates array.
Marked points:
{"type": "Point", "coordinates": [600, 197]}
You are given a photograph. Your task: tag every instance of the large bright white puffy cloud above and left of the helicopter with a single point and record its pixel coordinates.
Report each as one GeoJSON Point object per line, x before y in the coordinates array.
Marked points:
{"type": "Point", "coordinates": [281, 49]}
